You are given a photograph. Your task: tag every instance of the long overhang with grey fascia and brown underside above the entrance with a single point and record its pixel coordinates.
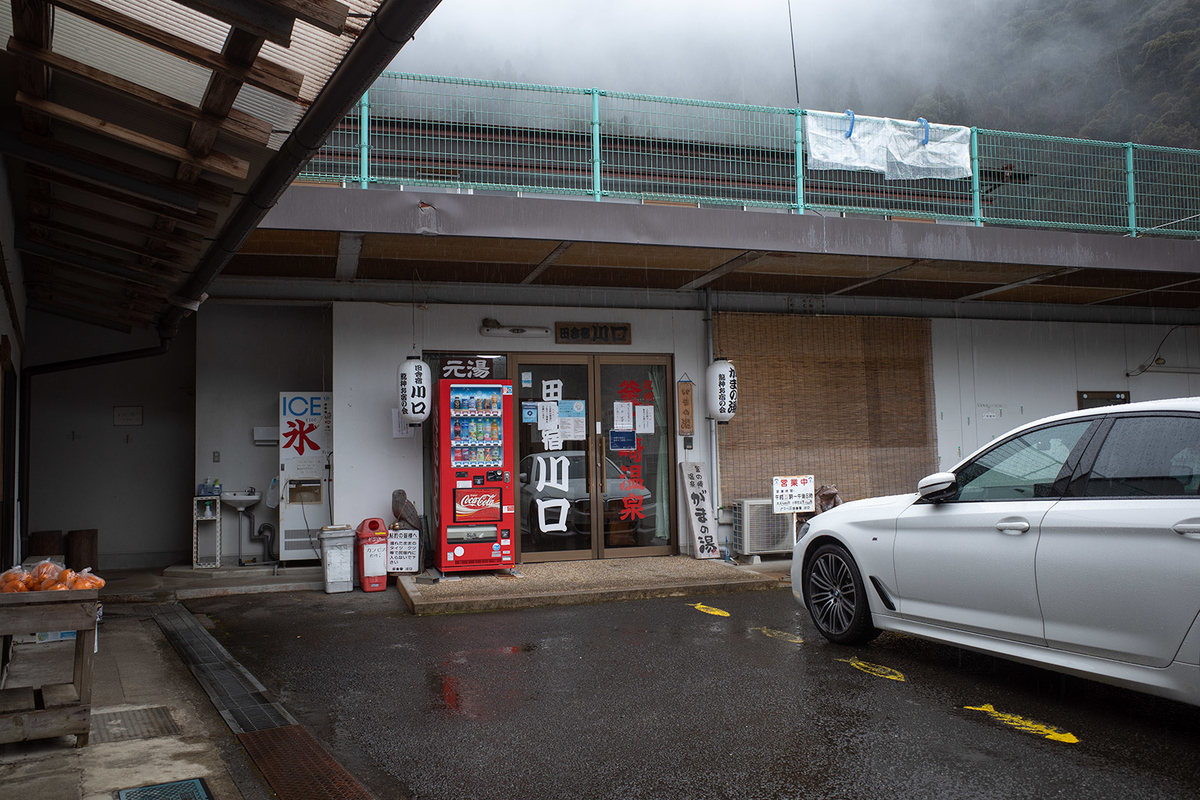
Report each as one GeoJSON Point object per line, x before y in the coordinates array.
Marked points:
{"type": "Point", "coordinates": [380, 245]}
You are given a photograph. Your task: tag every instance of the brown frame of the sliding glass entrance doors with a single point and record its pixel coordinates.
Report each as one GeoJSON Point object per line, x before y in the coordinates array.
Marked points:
{"type": "Point", "coordinates": [595, 362]}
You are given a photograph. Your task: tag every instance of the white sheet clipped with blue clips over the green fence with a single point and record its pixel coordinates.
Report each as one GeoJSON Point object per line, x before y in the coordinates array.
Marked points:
{"type": "Point", "coordinates": [896, 148]}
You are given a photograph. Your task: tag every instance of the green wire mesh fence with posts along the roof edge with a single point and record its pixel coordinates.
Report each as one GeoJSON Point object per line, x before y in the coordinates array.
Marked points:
{"type": "Point", "coordinates": [481, 135]}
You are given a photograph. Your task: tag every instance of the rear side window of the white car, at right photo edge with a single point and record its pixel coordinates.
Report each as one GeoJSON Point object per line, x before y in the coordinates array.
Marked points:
{"type": "Point", "coordinates": [1148, 456]}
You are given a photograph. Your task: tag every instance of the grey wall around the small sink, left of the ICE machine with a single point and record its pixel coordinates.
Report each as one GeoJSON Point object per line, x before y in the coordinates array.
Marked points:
{"type": "Point", "coordinates": [245, 357]}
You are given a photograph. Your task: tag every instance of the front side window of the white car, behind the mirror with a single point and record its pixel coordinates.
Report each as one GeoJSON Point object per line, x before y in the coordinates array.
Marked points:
{"type": "Point", "coordinates": [1022, 468]}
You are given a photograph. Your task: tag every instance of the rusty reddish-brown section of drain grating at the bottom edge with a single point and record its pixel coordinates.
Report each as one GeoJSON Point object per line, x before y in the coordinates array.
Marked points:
{"type": "Point", "coordinates": [298, 768]}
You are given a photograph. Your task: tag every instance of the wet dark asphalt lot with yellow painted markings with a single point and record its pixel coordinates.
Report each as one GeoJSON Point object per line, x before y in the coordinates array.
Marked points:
{"type": "Point", "coordinates": [659, 699]}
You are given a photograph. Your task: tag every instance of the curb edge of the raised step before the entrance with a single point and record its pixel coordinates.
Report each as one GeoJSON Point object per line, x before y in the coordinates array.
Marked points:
{"type": "Point", "coordinates": [421, 606]}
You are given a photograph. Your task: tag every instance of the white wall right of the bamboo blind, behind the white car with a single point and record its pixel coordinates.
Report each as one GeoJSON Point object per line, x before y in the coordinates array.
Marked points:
{"type": "Point", "coordinates": [991, 377]}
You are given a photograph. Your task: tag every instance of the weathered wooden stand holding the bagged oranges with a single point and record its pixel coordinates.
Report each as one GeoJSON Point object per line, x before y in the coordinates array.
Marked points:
{"type": "Point", "coordinates": [55, 709]}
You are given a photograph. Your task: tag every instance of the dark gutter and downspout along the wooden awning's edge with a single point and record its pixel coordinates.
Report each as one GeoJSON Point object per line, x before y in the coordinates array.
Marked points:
{"type": "Point", "coordinates": [393, 26]}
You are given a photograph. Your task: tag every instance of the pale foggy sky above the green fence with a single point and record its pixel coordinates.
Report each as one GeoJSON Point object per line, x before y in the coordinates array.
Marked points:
{"type": "Point", "coordinates": [875, 56]}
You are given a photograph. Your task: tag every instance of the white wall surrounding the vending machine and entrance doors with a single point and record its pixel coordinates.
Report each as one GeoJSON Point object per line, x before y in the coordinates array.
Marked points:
{"type": "Point", "coordinates": [370, 341]}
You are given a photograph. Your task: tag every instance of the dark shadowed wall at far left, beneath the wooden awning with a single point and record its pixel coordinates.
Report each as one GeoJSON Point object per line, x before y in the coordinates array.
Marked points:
{"type": "Point", "coordinates": [130, 483]}
